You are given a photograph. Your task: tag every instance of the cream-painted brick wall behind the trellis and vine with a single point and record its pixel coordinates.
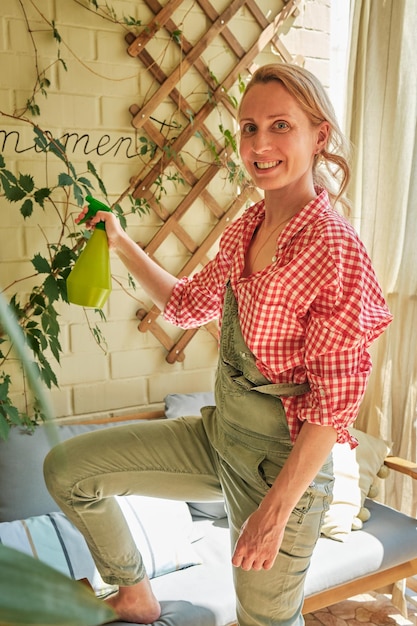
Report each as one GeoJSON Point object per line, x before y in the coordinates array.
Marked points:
{"type": "Point", "coordinates": [93, 97]}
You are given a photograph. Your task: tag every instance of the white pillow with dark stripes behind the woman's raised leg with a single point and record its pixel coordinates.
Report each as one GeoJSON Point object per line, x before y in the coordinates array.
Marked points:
{"type": "Point", "coordinates": [161, 529]}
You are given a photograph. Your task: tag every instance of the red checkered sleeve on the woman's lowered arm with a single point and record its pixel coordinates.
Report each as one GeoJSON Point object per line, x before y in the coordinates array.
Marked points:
{"type": "Point", "coordinates": [342, 324]}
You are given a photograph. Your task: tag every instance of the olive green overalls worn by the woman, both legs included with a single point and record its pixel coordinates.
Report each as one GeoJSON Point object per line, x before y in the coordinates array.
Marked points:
{"type": "Point", "coordinates": [234, 450]}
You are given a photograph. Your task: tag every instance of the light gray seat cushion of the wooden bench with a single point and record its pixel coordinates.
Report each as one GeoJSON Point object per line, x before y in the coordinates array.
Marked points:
{"type": "Point", "coordinates": [387, 539]}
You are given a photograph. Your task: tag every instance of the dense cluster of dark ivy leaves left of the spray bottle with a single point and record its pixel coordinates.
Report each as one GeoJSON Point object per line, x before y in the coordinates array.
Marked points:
{"type": "Point", "coordinates": [36, 312]}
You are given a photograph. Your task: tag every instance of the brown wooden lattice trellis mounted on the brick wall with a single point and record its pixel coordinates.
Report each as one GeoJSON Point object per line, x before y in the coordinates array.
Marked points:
{"type": "Point", "coordinates": [192, 57]}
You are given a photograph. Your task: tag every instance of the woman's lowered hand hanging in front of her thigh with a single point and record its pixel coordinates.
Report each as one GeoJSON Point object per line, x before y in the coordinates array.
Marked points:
{"type": "Point", "coordinates": [258, 543]}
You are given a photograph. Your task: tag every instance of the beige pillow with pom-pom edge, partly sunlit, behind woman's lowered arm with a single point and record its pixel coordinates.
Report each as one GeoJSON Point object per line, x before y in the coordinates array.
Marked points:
{"type": "Point", "coordinates": [355, 472]}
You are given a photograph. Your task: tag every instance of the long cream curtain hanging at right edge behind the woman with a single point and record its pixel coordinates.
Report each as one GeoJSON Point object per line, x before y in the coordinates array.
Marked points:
{"type": "Point", "coordinates": [382, 125]}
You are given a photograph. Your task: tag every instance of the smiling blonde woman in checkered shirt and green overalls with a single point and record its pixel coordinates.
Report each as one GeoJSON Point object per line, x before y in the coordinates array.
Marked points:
{"type": "Point", "coordinates": [298, 304]}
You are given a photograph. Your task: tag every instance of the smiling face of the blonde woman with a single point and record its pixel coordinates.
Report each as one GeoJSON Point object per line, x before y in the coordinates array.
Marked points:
{"type": "Point", "coordinates": [277, 140]}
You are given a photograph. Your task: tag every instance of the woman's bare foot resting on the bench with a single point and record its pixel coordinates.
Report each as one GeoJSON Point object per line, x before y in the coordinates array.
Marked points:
{"type": "Point", "coordinates": [136, 604]}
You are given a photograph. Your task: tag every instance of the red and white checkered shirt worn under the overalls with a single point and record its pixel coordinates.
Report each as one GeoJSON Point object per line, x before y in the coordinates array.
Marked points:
{"type": "Point", "coordinates": [309, 316]}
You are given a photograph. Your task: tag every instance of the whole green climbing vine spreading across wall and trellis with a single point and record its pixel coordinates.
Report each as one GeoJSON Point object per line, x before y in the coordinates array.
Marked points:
{"type": "Point", "coordinates": [62, 196]}
